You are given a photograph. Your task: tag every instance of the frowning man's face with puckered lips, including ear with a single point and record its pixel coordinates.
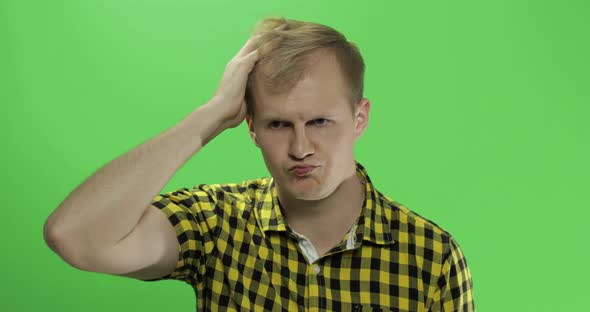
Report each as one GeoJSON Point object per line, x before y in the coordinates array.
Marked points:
{"type": "Point", "coordinates": [310, 125]}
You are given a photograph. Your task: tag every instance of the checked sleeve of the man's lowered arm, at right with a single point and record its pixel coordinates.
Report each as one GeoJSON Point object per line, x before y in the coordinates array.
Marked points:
{"type": "Point", "coordinates": [455, 287]}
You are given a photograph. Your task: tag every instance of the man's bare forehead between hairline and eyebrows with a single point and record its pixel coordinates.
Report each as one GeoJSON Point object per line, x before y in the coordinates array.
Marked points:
{"type": "Point", "coordinates": [322, 89]}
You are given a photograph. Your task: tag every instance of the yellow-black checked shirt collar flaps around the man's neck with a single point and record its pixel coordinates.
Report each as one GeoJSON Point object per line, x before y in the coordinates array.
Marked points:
{"type": "Point", "coordinates": [372, 224]}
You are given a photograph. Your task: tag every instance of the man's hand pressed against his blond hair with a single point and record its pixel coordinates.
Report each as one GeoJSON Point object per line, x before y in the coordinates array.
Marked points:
{"type": "Point", "coordinates": [229, 97]}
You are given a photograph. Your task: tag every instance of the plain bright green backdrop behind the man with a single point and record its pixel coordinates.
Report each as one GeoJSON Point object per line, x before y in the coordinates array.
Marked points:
{"type": "Point", "coordinates": [479, 122]}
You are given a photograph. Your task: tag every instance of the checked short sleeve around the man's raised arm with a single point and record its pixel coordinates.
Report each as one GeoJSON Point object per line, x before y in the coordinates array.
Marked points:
{"type": "Point", "coordinates": [190, 212]}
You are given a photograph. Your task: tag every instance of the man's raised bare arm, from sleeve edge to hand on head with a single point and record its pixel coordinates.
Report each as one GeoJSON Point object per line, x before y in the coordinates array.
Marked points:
{"type": "Point", "coordinates": [104, 225]}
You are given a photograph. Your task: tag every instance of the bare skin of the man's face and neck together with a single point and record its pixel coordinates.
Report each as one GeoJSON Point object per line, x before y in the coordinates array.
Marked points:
{"type": "Point", "coordinates": [313, 124]}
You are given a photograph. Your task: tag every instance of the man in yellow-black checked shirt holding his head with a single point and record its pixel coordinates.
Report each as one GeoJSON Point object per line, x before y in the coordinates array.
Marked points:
{"type": "Point", "coordinates": [316, 235]}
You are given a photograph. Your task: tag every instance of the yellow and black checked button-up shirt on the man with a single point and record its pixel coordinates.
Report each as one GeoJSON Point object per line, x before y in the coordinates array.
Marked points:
{"type": "Point", "coordinates": [238, 253]}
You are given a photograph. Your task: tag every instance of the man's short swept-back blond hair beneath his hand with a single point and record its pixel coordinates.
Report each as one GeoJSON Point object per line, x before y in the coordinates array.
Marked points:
{"type": "Point", "coordinates": [287, 61]}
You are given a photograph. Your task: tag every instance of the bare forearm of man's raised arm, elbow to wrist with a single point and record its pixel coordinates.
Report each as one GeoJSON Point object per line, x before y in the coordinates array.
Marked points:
{"type": "Point", "coordinates": [108, 205]}
